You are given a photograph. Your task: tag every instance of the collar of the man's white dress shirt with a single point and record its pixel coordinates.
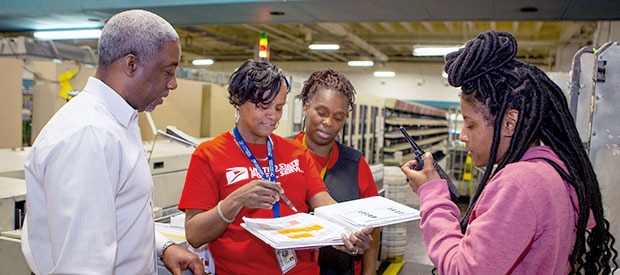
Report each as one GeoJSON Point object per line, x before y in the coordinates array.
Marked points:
{"type": "Point", "coordinates": [120, 109]}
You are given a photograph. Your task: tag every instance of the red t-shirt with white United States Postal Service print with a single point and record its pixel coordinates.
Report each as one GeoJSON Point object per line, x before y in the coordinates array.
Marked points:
{"type": "Point", "coordinates": [218, 167]}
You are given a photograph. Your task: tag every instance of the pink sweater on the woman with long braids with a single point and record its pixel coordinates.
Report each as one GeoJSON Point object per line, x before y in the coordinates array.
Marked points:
{"type": "Point", "coordinates": [524, 222]}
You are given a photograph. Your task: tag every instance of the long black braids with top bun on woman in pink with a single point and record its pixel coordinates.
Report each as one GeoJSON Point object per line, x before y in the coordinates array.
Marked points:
{"type": "Point", "coordinates": [488, 75]}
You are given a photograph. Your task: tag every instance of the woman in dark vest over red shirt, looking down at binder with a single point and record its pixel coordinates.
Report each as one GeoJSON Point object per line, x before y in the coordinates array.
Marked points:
{"type": "Point", "coordinates": [328, 97]}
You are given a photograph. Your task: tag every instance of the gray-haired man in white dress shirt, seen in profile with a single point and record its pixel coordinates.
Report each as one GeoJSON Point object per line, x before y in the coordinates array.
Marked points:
{"type": "Point", "coordinates": [89, 187]}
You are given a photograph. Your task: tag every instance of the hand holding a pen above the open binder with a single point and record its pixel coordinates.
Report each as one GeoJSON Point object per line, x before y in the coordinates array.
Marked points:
{"type": "Point", "coordinates": [258, 194]}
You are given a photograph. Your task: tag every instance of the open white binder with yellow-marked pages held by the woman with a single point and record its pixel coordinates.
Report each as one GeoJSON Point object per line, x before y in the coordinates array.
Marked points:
{"type": "Point", "coordinates": [303, 230]}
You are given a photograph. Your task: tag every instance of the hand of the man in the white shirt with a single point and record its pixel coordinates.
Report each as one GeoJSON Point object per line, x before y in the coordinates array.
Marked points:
{"type": "Point", "coordinates": [178, 259]}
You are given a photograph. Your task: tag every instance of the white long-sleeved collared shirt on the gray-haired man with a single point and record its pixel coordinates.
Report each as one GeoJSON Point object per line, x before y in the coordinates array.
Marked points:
{"type": "Point", "coordinates": [89, 190]}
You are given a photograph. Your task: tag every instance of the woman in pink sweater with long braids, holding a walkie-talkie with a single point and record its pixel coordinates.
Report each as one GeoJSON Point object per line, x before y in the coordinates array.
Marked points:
{"type": "Point", "coordinates": [531, 212]}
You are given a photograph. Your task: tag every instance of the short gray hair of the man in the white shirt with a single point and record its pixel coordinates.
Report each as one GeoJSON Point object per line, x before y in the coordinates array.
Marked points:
{"type": "Point", "coordinates": [138, 32]}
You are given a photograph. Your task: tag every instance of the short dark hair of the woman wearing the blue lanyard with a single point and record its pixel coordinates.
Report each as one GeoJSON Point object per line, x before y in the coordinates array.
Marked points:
{"type": "Point", "coordinates": [252, 80]}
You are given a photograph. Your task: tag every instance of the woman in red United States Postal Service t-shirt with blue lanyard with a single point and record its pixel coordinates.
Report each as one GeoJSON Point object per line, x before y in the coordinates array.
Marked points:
{"type": "Point", "coordinates": [232, 176]}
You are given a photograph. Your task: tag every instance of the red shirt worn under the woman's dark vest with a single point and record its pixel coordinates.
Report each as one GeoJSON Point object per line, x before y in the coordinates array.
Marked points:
{"type": "Point", "coordinates": [365, 180]}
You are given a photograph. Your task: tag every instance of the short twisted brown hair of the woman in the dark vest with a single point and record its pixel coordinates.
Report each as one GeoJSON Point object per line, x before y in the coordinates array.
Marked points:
{"type": "Point", "coordinates": [328, 79]}
